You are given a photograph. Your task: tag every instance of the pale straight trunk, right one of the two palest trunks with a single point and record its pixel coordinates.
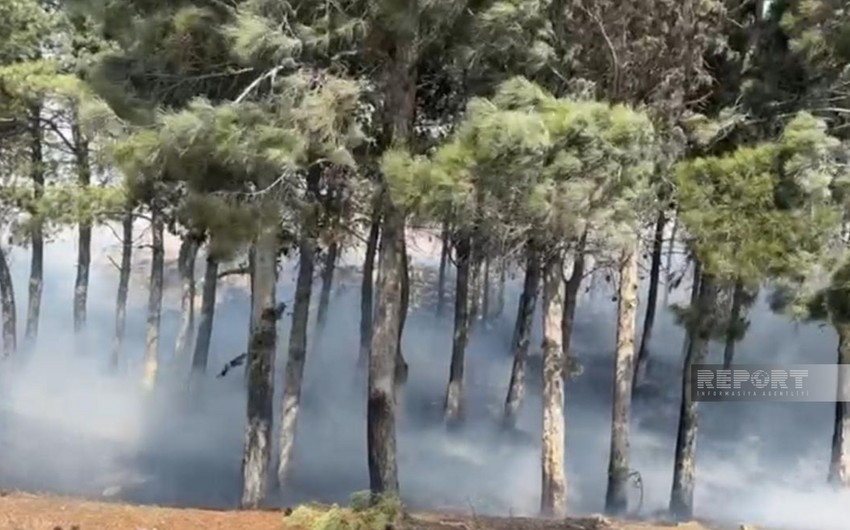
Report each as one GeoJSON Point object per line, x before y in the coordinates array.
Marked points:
{"type": "Point", "coordinates": [616, 499]}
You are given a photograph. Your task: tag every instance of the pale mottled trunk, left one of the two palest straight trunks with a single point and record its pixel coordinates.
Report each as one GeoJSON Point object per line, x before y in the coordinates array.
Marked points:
{"type": "Point", "coordinates": [554, 498]}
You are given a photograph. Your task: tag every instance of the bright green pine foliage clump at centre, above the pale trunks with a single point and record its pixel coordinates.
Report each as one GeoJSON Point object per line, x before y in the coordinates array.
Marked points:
{"type": "Point", "coordinates": [529, 162]}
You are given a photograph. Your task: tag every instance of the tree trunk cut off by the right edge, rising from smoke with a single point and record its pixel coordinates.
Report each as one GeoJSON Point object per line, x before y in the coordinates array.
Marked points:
{"type": "Point", "coordinates": [839, 463]}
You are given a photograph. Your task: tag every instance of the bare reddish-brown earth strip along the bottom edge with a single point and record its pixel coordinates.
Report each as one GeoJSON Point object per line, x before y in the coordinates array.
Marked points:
{"type": "Point", "coordinates": [20, 511]}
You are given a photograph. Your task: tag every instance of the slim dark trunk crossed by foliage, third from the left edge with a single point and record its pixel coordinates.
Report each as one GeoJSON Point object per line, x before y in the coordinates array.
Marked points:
{"type": "Point", "coordinates": [81, 284]}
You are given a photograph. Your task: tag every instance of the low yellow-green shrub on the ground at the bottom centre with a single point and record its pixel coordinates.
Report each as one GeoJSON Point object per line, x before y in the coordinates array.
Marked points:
{"type": "Point", "coordinates": [363, 514]}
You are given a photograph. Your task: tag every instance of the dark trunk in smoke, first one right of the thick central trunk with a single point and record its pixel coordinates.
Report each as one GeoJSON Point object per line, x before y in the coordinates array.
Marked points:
{"type": "Point", "coordinates": [460, 339]}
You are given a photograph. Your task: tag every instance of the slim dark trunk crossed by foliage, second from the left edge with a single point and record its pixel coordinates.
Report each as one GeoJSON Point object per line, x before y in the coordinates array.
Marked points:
{"type": "Point", "coordinates": [36, 283]}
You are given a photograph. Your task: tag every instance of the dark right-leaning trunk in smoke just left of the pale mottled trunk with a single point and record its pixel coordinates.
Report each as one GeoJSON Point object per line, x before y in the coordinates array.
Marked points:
{"type": "Point", "coordinates": [528, 300]}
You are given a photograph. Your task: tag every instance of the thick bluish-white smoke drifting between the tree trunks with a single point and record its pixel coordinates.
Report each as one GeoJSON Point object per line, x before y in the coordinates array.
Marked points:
{"type": "Point", "coordinates": [68, 427]}
